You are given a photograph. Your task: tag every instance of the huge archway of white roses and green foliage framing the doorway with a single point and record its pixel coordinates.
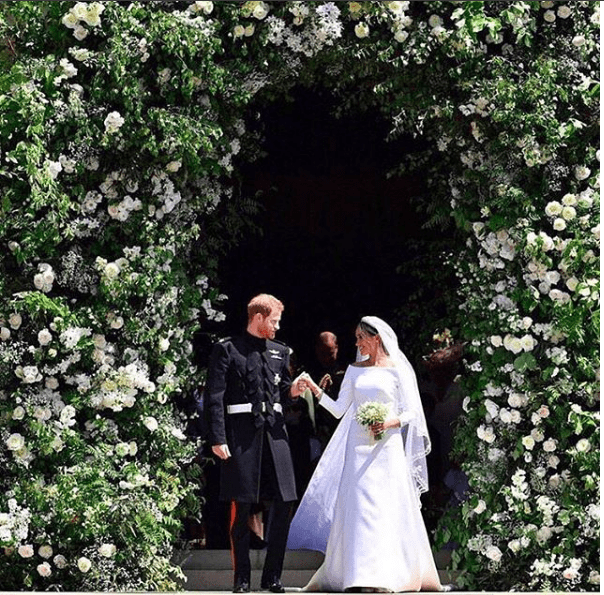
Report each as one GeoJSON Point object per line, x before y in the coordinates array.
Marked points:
{"type": "Point", "coordinates": [121, 128]}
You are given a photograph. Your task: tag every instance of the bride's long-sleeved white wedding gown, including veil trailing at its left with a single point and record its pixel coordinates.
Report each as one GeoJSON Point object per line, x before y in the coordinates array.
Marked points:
{"type": "Point", "coordinates": [363, 502]}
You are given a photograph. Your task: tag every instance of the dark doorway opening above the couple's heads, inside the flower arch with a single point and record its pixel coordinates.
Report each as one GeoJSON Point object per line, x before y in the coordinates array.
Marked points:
{"type": "Point", "coordinates": [334, 227]}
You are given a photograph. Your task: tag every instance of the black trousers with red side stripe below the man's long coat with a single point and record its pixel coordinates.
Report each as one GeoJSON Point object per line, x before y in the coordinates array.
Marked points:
{"type": "Point", "coordinates": [276, 526]}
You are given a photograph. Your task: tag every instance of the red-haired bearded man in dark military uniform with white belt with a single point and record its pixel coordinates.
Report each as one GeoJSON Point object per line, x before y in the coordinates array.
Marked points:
{"type": "Point", "coordinates": [248, 382]}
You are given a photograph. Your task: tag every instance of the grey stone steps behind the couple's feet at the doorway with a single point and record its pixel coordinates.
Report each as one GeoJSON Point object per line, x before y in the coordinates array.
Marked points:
{"type": "Point", "coordinates": [211, 570]}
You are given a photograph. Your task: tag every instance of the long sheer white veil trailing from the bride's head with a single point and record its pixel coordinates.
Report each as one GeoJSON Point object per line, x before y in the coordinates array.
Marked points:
{"type": "Point", "coordinates": [311, 524]}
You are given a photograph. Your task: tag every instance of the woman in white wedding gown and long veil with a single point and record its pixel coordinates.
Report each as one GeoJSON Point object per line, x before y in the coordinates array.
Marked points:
{"type": "Point", "coordinates": [362, 506]}
